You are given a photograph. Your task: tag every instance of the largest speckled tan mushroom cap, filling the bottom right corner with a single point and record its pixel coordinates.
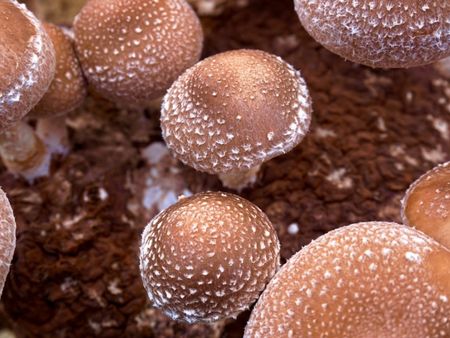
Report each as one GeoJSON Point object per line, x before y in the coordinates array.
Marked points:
{"type": "Point", "coordinates": [364, 280]}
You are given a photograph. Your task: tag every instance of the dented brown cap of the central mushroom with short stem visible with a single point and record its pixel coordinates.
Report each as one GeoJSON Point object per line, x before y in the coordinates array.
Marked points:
{"type": "Point", "coordinates": [235, 110]}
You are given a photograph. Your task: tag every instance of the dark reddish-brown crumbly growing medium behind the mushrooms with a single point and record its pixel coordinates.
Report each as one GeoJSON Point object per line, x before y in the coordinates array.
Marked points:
{"type": "Point", "coordinates": [373, 133]}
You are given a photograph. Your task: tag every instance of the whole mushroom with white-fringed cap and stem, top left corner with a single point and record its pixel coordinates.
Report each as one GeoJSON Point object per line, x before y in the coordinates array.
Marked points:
{"type": "Point", "coordinates": [27, 67]}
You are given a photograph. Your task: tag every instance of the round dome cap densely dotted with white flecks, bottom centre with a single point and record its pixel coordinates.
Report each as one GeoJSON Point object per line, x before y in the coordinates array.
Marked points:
{"type": "Point", "coordinates": [208, 257]}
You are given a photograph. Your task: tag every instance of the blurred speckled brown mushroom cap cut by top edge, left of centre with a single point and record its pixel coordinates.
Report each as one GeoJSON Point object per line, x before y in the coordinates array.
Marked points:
{"type": "Point", "coordinates": [132, 50]}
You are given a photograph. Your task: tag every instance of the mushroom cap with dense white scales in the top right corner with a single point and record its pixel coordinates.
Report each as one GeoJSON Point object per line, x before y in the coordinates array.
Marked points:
{"type": "Point", "coordinates": [380, 33]}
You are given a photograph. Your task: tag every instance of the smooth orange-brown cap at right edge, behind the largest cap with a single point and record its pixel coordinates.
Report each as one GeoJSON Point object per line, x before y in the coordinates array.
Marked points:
{"type": "Point", "coordinates": [426, 205]}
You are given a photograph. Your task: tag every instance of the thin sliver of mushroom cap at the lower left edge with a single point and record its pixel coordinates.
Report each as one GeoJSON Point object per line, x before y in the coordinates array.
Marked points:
{"type": "Point", "coordinates": [7, 237]}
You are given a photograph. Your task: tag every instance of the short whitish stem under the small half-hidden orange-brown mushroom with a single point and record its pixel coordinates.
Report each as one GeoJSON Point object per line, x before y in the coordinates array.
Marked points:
{"type": "Point", "coordinates": [53, 132]}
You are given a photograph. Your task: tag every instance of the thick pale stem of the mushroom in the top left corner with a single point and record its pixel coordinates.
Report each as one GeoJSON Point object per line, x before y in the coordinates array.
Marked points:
{"type": "Point", "coordinates": [23, 152]}
